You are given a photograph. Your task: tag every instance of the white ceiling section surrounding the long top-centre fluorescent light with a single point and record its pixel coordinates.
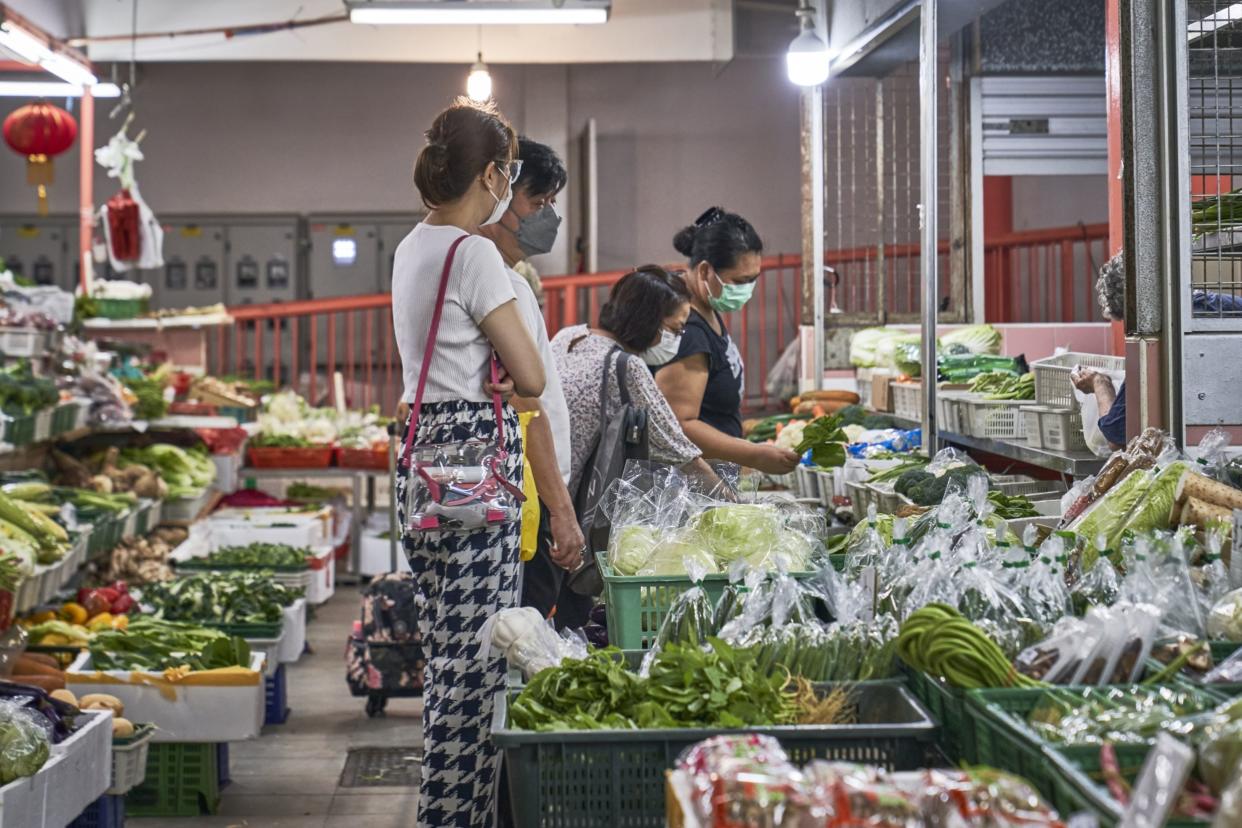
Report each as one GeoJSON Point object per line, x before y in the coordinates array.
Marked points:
{"type": "Point", "coordinates": [638, 32]}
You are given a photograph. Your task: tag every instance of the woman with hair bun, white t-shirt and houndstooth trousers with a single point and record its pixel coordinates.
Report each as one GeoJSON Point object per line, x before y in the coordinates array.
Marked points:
{"type": "Point", "coordinates": [465, 176]}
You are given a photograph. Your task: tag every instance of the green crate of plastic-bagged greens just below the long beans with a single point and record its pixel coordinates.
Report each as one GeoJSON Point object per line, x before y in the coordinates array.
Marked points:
{"type": "Point", "coordinates": [1004, 740]}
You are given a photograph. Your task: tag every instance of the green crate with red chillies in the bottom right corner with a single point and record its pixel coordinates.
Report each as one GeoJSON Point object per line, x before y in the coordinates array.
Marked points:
{"type": "Point", "coordinates": [1079, 788]}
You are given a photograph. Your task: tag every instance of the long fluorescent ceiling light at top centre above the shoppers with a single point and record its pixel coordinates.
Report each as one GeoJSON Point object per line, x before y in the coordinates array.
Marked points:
{"type": "Point", "coordinates": [480, 13]}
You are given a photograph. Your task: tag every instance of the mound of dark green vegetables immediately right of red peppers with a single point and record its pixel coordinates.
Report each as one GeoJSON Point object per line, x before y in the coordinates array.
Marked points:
{"type": "Point", "coordinates": [222, 598]}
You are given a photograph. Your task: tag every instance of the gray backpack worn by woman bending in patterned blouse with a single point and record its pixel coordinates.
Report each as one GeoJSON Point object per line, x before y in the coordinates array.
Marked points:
{"type": "Point", "coordinates": [623, 439]}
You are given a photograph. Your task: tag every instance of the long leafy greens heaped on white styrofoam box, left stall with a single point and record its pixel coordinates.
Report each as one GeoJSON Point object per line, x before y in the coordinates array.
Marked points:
{"type": "Point", "coordinates": [157, 645]}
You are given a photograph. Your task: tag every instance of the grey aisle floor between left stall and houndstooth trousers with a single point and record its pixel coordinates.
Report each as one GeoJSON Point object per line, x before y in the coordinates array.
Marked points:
{"type": "Point", "coordinates": [289, 778]}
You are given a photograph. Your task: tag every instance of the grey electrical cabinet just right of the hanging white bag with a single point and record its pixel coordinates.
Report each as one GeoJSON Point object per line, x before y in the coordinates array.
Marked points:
{"type": "Point", "coordinates": [194, 265]}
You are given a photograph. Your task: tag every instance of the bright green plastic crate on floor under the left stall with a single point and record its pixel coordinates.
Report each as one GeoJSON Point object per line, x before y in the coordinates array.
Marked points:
{"type": "Point", "coordinates": [183, 780]}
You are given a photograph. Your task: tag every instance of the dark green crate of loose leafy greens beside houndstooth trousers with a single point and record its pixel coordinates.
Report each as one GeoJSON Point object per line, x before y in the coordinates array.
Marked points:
{"type": "Point", "coordinates": [617, 779]}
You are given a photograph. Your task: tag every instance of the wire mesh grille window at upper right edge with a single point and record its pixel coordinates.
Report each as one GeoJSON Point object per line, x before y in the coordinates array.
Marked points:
{"type": "Point", "coordinates": [1215, 130]}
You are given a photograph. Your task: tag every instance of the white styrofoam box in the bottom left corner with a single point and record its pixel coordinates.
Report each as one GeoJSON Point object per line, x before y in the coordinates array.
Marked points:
{"type": "Point", "coordinates": [76, 774]}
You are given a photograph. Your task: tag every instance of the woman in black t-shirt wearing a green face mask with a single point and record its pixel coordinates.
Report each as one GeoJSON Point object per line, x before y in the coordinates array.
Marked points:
{"type": "Point", "coordinates": [705, 382]}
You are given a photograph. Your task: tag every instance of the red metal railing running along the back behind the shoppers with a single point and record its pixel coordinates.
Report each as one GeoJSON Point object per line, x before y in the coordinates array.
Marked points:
{"type": "Point", "coordinates": [304, 344]}
